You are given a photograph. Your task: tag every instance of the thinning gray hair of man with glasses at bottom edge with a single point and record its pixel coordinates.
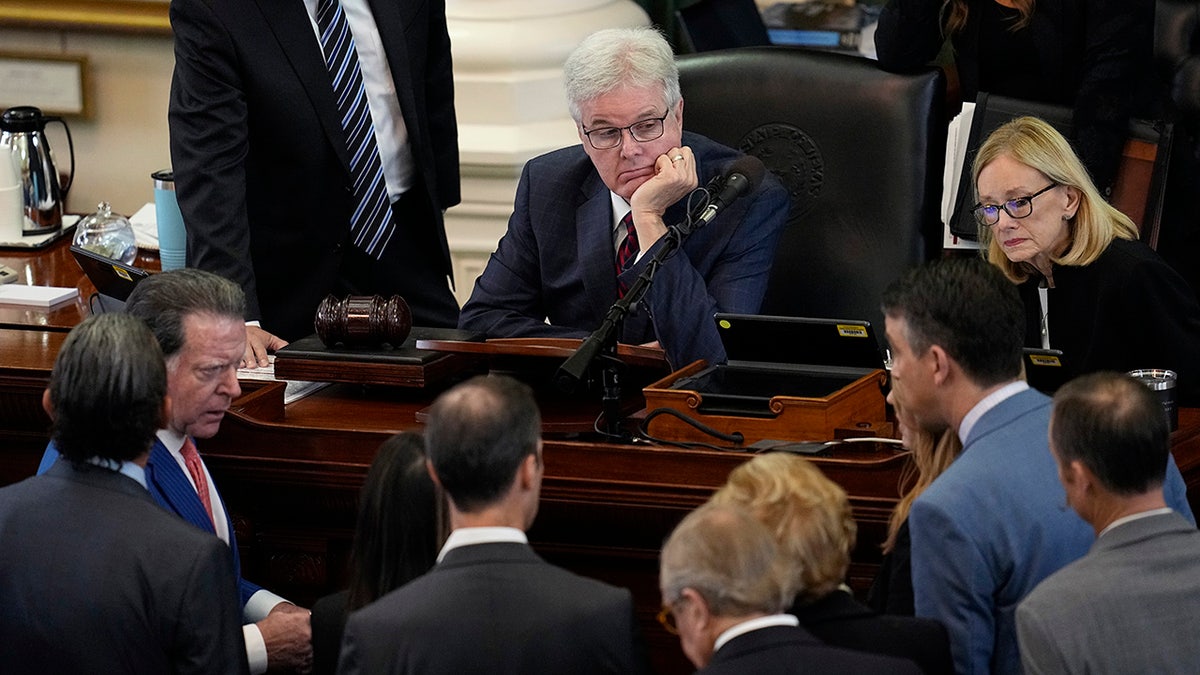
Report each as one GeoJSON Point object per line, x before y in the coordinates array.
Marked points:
{"type": "Point", "coordinates": [730, 559]}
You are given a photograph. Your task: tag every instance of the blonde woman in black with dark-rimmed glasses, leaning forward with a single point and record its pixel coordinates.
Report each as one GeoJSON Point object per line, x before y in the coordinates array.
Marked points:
{"type": "Point", "coordinates": [1090, 288]}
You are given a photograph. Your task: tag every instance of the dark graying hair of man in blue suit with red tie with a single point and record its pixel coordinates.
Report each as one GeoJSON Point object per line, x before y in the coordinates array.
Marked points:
{"type": "Point", "coordinates": [164, 301]}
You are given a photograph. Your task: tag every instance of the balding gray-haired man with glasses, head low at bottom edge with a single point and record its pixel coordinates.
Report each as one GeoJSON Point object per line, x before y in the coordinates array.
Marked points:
{"type": "Point", "coordinates": [725, 586]}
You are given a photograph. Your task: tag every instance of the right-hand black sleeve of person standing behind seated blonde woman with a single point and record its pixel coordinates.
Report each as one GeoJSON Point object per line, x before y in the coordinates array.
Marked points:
{"type": "Point", "coordinates": [1119, 39]}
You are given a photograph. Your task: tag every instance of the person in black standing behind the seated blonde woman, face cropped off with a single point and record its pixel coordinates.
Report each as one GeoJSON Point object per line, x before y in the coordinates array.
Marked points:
{"type": "Point", "coordinates": [1093, 56]}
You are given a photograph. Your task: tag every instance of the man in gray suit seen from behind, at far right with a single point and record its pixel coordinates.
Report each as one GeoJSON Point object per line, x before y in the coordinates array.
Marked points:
{"type": "Point", "coordinates": [1130, 606]}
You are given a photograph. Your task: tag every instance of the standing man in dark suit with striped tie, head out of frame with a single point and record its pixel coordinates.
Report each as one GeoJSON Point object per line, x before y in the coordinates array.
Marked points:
{"type": "Point", "coordinates": [263, 168]}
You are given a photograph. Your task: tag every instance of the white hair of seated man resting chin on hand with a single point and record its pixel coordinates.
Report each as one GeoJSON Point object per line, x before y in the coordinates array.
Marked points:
{"type": "Point", "coordinates": [614, 58]}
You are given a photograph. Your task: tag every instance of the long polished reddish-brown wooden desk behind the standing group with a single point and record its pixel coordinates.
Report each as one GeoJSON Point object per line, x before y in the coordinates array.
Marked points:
{"type": "Point", "coordinates": [291, 474]}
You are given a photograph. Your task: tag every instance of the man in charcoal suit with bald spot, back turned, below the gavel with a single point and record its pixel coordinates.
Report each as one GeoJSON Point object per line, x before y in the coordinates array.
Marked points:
{"type": "Point", "coordinates": [491, 605]}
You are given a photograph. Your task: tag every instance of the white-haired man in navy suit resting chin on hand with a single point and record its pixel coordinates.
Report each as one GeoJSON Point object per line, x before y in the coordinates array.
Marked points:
{"type": "Point", "coordinates": [555, 273]}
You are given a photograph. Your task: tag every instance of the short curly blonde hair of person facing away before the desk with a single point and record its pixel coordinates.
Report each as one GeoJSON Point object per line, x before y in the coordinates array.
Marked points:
{"type": "Point", "coordinates": [809, 516]}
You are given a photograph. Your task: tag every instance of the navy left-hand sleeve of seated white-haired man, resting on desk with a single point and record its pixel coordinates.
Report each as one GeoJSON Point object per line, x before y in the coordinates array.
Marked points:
{"type": "Point", "coordinates": [508, 298]}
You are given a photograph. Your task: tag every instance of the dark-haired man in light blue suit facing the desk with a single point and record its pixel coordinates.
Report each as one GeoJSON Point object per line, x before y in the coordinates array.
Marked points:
{"type": "Point", "coordinates": [995, 524]}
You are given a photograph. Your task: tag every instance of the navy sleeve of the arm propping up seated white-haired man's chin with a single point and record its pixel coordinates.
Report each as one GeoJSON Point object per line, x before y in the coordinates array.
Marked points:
{"type": "Point", "coordinates": [682, 301]}
